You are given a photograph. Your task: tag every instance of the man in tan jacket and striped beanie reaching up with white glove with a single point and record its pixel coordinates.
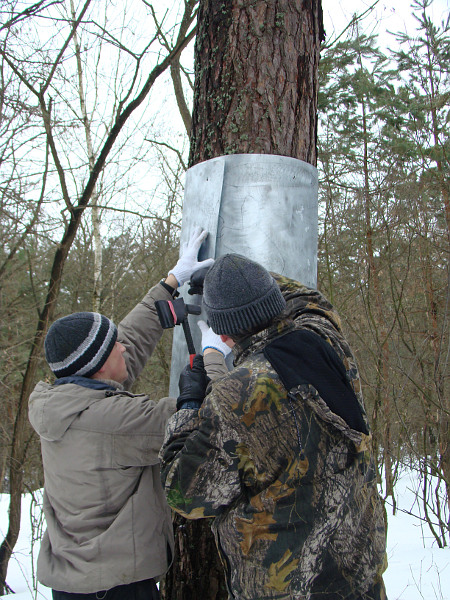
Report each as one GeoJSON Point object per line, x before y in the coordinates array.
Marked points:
{"type": "Point", "coordinates": [109, 531]}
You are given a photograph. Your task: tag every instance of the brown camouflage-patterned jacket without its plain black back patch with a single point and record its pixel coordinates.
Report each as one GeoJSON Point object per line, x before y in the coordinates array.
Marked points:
{"type": "Point", "coordinates": [290, 485]}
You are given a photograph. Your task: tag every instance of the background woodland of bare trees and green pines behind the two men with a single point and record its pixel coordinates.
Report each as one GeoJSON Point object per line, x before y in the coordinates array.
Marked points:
{"type": "Point", "coordinates": [94, 123]}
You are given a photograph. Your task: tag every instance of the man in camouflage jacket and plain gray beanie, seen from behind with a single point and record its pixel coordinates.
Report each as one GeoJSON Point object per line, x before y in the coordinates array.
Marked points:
{"type": "Point", "coordinates": [279, 453]}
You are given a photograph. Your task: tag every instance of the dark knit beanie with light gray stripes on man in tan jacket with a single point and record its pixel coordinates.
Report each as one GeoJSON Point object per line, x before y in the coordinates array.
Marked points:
{"type": "Point", "coordinates": [79, 344]}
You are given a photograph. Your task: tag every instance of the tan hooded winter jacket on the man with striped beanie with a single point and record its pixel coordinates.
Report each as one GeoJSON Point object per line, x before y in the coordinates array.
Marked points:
{"type": "Point", "coordinates": [108, 523]}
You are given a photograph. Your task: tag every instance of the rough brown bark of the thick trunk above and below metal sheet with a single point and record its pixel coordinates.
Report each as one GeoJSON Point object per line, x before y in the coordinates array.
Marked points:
{"type": "Point", "coordinates": [256, 78]}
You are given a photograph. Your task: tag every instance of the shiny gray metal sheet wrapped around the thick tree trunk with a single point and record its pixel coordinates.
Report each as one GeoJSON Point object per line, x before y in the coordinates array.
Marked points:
{"type": "Point", "coordinates": [260, 205]}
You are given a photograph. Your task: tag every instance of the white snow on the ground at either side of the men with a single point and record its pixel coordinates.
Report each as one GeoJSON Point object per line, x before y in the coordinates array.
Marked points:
{"type": "Point", "coordinates": [418, 569]}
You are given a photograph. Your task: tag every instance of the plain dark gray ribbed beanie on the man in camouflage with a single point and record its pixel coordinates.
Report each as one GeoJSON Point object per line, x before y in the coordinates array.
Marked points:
{"type": "Point", "coordinates": [239, 294]}
